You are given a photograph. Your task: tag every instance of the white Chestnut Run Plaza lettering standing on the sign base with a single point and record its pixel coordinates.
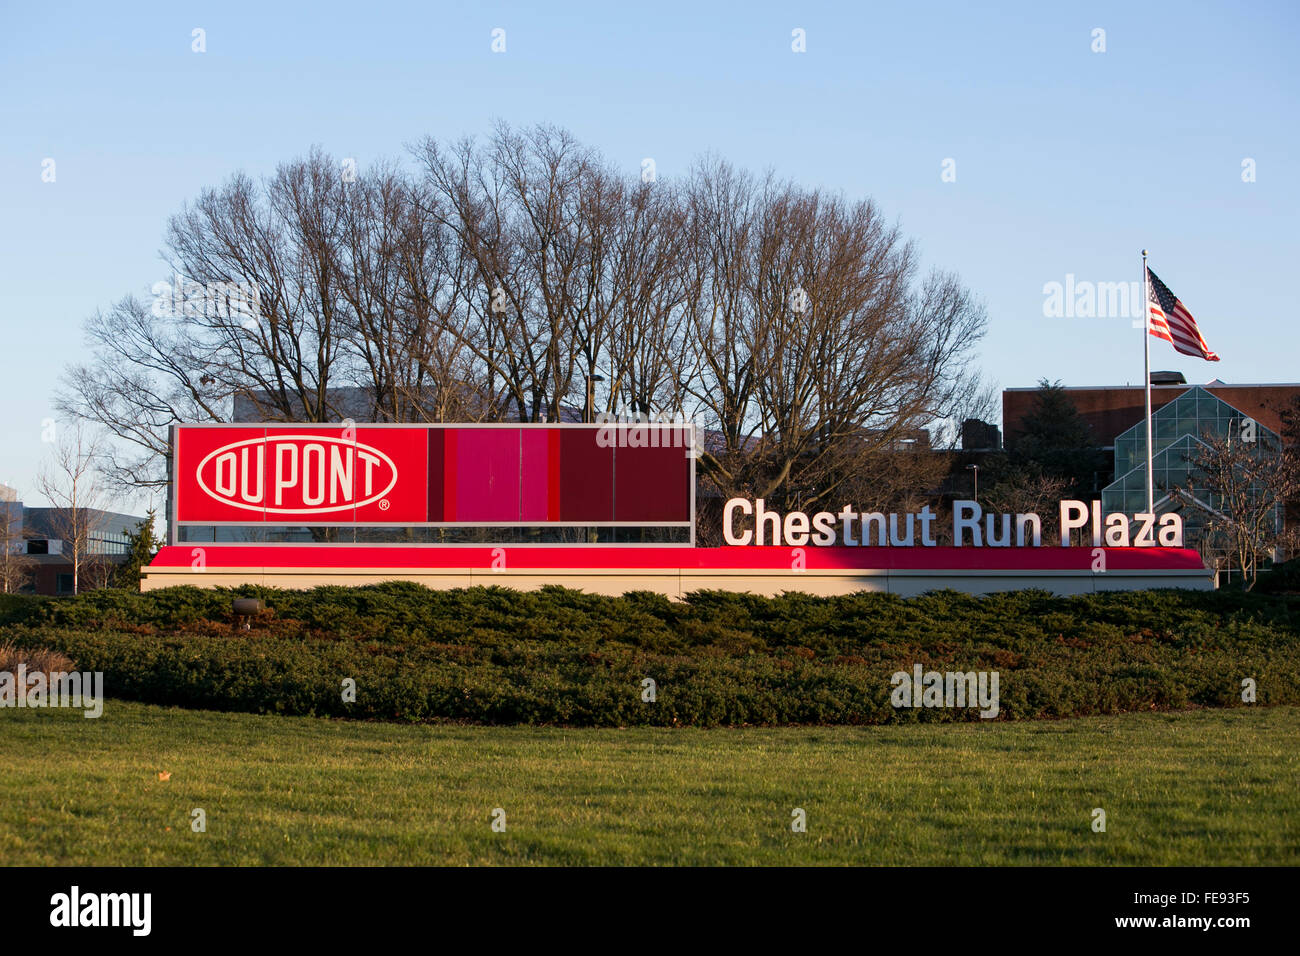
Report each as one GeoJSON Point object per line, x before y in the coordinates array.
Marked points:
{"type": "Point", "coordinates": [970, 526]}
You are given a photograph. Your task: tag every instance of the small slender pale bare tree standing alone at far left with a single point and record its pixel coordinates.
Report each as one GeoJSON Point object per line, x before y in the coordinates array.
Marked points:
{"type": "Point", "coordinates": [70, 483]}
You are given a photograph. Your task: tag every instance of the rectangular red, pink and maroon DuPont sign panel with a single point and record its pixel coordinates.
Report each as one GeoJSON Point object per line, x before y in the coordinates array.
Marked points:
{"type": "Point", "coordinates": [434, 475]}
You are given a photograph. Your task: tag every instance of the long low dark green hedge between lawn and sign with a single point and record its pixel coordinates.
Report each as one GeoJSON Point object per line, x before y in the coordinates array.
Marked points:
{"type": "Point", "coordinates": [565, 657]}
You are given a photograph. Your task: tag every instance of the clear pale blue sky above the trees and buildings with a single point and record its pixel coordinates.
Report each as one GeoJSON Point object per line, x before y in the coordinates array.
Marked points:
{"type": "Point", "coordinates": [1068, 161]}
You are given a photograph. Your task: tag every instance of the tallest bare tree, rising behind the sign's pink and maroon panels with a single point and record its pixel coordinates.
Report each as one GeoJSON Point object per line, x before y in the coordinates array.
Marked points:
{"type": "Point", "coordinates": [517, 211]}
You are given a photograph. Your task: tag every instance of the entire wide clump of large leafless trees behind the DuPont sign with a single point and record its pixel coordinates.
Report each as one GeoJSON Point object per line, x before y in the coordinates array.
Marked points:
{"type": "Point", "coordinates": [508, 276]}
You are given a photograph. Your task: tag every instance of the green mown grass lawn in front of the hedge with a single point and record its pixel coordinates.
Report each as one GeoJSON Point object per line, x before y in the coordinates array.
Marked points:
{"type": "Point", "coordinates": [1208, 788]}
